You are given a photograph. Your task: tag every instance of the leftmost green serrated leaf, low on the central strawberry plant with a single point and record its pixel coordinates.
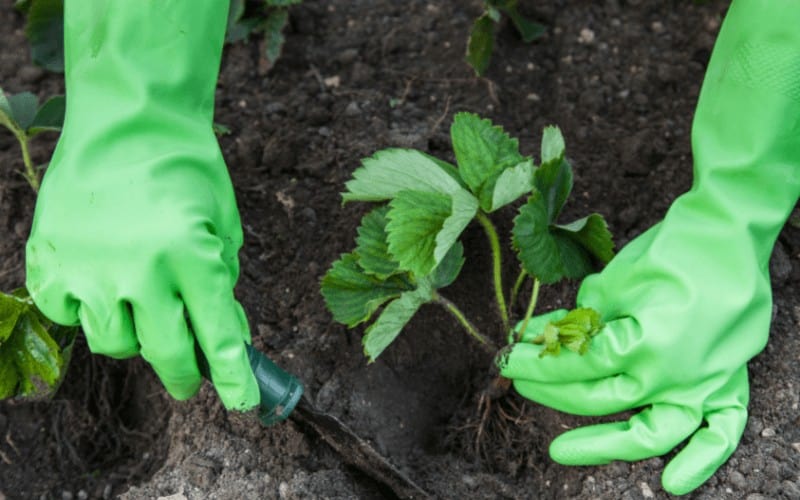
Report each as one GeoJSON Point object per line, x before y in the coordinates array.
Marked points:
{"type": "Point", "coordinates": [353, 296]}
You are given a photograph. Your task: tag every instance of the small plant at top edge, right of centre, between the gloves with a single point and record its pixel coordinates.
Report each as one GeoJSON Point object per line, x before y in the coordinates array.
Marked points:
{"type": "Point", "coordinates": [481, 38]}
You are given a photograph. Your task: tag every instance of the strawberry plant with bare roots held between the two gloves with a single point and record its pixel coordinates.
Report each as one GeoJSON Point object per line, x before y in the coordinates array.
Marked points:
{"type": "Point", "coordinates": [408, 248]}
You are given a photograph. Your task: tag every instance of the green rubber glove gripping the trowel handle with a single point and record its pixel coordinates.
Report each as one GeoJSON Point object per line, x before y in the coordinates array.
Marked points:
{"type": "Point", "coordinates": [136, 226]}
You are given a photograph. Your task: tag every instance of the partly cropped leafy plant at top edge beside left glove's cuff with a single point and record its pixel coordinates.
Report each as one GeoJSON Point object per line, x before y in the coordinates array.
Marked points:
{"type": "Point", "coordinates": [271, 22]}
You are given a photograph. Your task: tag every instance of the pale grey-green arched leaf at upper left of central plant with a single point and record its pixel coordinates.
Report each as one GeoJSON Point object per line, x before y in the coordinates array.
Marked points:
{"type": "Point", "coordinates": [390, 171]}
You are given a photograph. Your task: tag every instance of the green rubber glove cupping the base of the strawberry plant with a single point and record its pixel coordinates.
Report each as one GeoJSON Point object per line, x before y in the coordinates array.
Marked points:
{"type": "Point", "coordinates": [688, 303]}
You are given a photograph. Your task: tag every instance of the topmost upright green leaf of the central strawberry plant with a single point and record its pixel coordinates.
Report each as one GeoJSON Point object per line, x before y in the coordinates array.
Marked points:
{"type": "Point", "coordinates": [483, 152]}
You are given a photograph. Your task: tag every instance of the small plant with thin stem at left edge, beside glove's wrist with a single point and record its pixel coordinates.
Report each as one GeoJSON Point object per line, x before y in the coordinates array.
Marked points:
{"type": "Point", "coordinates": [25, 118]}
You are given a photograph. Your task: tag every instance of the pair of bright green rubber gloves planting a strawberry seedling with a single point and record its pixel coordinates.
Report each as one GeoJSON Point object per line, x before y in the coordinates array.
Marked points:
{"type": "Point", "coordinates": [136, 234]}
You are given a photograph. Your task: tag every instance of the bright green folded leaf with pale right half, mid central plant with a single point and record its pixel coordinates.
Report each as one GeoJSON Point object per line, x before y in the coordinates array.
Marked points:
{"type": "Point", "coordinates": [424, 226]}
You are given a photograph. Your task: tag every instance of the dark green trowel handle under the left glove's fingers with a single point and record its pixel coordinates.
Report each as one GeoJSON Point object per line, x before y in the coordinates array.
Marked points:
{"type": "Point", "coordinates": [280, 391]}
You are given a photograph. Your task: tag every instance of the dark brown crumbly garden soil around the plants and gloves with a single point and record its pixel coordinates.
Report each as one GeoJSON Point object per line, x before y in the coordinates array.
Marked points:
{"type": "Point", "coordinates": [620, 78]}
